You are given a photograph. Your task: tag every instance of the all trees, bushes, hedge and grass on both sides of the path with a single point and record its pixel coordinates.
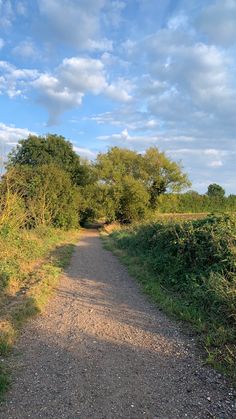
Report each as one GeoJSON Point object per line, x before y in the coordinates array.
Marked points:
{"type": "Point", "coordinates": [47, 191]}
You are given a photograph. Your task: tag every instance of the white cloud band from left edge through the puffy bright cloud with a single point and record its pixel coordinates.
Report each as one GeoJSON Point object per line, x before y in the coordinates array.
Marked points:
{"type": "Point", "coordinates": [65, 88]}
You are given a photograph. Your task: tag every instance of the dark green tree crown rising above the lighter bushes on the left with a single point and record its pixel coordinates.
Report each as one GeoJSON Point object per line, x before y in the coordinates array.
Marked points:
{"type": "Point", "coordinates": [50, 149]}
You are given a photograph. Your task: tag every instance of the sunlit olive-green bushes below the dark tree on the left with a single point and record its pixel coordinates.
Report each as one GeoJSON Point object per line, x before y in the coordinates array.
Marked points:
{"type": "Point", "coordinates": [48, 194]}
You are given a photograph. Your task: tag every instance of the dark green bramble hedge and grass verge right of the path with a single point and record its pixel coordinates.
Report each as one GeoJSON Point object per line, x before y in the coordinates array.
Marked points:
{"type": "Point", "coordinates": [188, 268]}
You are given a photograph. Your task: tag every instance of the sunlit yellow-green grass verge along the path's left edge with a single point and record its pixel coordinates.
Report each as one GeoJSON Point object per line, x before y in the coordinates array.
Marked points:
{"type": "Point", "coordinates": [30, 265]}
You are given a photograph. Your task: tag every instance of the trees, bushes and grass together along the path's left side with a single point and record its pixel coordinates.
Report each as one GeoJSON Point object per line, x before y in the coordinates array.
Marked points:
{"type": "Point", "coordinates": [39, 205]}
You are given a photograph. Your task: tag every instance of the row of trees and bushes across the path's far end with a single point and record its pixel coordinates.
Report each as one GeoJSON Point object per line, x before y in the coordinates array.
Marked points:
{"type": "Point", "coordinates": [47, 183]}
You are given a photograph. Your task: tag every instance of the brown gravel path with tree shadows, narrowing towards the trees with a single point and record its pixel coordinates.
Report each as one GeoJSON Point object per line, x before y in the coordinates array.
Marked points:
{"type": "Point", "coordinates": [101, 350]}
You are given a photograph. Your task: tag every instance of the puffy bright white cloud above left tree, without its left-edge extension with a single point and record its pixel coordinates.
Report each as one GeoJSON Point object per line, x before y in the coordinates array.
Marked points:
{"type": "Point", "coordinates": [74, 78]}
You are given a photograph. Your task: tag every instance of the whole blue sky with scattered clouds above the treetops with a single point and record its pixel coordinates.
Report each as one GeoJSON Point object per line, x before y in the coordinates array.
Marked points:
{"type": "Point", "coordinates": [134, 73]}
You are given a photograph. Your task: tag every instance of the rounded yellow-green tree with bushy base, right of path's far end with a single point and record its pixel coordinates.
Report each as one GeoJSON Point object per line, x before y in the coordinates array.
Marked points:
{"type": "Point", "coordinates": [130, 182]}
